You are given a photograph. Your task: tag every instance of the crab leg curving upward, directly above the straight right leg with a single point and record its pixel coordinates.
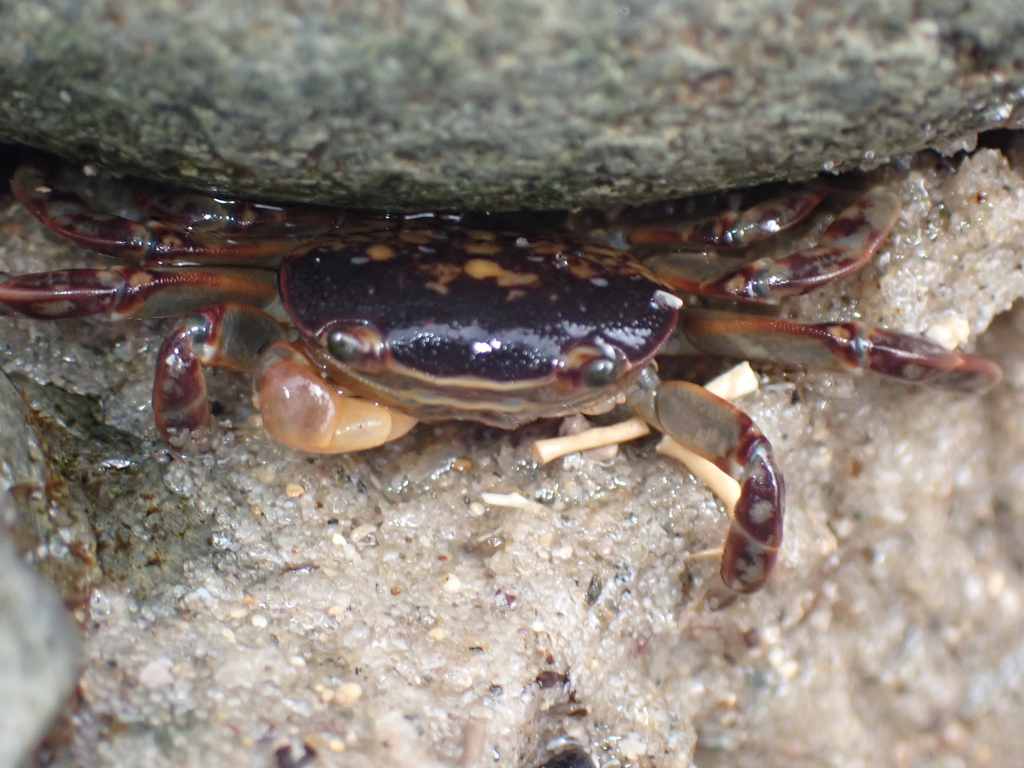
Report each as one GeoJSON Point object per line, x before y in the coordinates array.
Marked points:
{"type": "Point", "coordinates": [845, 247]}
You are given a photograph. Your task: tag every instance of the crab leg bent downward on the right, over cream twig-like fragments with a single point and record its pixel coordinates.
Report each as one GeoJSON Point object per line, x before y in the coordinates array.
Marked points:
{"type": "Point", "coordinates": [724, 436]}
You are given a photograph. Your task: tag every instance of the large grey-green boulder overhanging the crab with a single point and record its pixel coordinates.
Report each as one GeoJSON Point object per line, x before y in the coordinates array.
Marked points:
{"type": "Point", "coordinates": [508, 104]}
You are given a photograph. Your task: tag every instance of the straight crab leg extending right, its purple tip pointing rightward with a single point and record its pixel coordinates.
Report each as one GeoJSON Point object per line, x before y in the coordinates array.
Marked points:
{"type": "Point", "coordinates": [838, 347]}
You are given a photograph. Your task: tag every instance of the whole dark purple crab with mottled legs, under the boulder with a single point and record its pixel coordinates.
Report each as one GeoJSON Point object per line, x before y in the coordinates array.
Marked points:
{"type": "Point", "coordinates": [356, 327]}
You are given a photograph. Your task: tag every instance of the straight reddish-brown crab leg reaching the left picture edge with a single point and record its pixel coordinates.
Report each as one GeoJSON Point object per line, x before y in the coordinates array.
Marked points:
{"type": "Point", "coordinates": [130, 292]}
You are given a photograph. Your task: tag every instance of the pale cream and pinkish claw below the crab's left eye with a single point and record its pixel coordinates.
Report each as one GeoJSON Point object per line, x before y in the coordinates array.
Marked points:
{"type": "Point", "coordinates": [304, 411]}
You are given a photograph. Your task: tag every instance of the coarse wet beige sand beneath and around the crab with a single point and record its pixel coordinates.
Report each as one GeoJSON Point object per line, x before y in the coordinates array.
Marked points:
{"type": "Point", "coordinates": [373, 610]}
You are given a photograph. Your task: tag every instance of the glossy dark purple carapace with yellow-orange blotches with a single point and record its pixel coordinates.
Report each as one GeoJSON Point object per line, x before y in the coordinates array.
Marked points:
{"type": "Point", "coordinates": [482, 307]}
